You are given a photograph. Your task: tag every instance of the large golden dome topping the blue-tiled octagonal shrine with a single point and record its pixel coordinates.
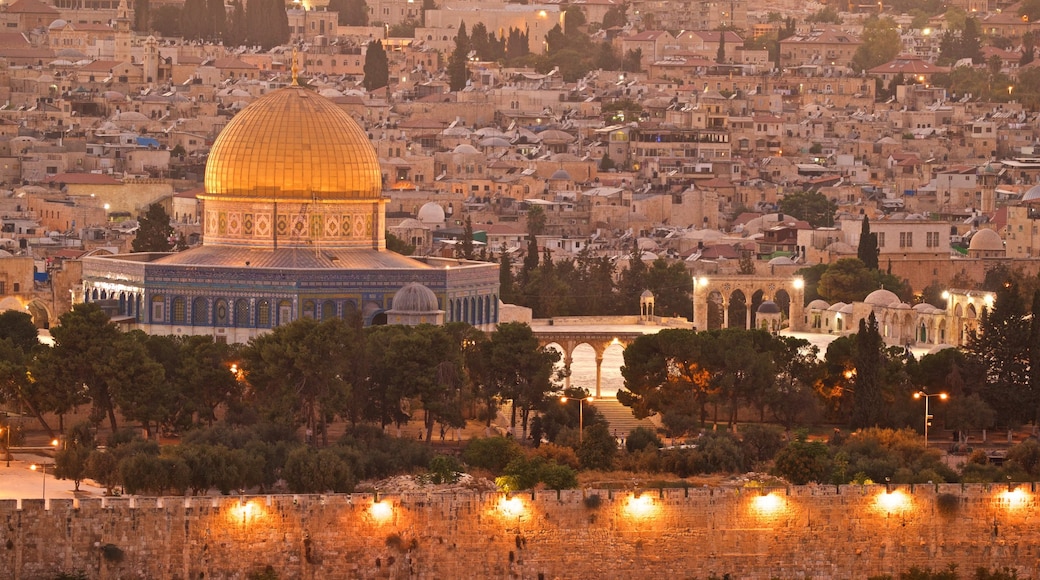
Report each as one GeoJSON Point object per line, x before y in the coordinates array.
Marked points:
{"type": "Point", "coordinates": [294, 145]}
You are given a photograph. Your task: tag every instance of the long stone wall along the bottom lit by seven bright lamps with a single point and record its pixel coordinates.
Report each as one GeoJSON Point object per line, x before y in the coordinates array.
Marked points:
{"type": "Point", "coordinates": [794, 534]}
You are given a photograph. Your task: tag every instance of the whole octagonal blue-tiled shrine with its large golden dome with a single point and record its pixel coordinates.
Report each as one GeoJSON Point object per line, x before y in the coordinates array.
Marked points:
{"type": "Point", "coordinates": [294, 227]}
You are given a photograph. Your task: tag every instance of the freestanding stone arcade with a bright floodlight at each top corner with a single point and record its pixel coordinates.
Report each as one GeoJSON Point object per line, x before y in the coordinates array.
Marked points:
{"type": "Point", "coordinates": [768, 286]}
